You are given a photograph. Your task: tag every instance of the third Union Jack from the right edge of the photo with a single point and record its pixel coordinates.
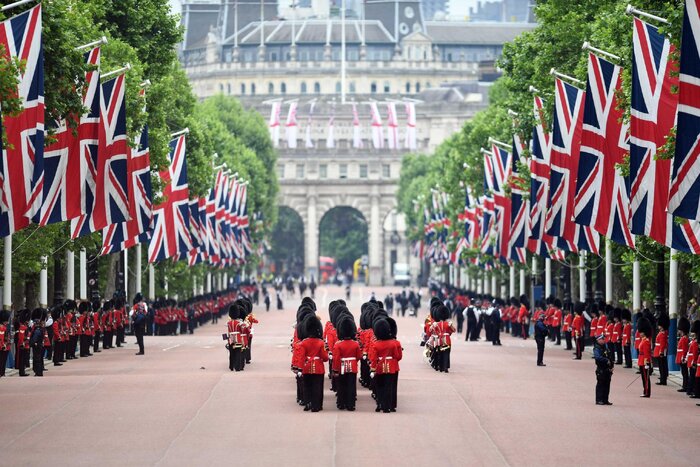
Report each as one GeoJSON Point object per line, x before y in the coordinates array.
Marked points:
{"type": "Point", "coordinates": [602, 199]}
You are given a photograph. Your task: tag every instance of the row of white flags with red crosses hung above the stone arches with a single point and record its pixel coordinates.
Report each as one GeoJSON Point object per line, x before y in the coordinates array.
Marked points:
{"type": "Point", "coordinates": [379, 138]}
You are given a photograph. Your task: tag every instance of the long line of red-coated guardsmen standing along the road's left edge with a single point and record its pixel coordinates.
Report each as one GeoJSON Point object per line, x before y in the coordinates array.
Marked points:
{"type": "Point", "coordinates": [73, 330]}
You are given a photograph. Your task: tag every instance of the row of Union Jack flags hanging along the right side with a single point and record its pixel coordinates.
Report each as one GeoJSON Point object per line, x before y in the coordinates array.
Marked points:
{"type": "Point", "coordinates": [577, 191]}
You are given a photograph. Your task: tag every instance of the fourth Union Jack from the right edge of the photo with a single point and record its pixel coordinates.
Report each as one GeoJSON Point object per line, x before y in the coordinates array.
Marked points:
{"type": "Point", "coordinates": [564, 155]}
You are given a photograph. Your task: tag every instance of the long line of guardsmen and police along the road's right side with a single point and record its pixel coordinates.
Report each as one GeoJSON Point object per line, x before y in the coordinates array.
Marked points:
{"type": "Point", "coordinates": [614, 334]}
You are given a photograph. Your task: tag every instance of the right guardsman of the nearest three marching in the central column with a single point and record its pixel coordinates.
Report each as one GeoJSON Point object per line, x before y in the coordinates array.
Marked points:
{"type": "Point", "coordinates": [386, 355]}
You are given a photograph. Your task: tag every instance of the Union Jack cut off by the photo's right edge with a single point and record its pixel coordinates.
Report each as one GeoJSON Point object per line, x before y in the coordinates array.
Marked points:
{"type": "Point", "coordinates": [684, 194]}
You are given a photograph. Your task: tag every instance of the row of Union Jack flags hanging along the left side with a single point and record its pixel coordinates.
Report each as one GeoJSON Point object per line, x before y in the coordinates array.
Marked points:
{"type": "Point", "coordinates": [91, 177]}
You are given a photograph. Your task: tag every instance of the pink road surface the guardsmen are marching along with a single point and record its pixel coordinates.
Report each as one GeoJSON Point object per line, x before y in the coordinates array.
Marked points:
{"type": "Point", "coordinates": [180, 405]}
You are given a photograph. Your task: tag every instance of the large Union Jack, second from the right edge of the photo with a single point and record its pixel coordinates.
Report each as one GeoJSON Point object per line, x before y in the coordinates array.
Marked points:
{"type": "Point", "coordinates": [654, 107]}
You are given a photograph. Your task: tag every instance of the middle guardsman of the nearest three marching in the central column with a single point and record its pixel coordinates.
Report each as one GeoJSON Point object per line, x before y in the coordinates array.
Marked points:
{"type": "Point", "coordinates": [347, 355]}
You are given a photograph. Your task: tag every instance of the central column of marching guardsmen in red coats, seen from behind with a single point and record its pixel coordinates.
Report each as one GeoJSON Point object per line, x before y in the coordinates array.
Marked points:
{"type": "Point", "coordinates": [372, 351]}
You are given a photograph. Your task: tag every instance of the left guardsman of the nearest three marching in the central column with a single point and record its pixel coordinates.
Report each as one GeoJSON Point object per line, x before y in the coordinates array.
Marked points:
{"type": "Point", "coordinates": [313, 353]}
